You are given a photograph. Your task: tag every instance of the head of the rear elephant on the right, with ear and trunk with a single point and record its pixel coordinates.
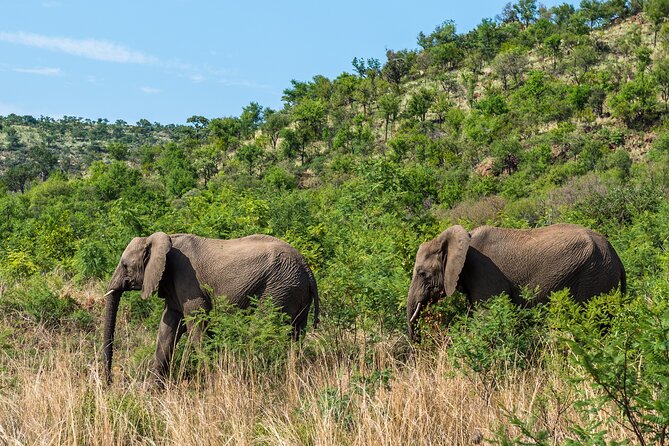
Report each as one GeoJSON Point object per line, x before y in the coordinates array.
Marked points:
{"type": "Point", "coordinates": [438, 266]}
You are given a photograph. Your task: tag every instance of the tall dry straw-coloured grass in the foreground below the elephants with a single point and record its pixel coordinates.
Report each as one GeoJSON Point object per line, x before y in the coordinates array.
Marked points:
{"type": "Point", "coordinates": [51, 393]}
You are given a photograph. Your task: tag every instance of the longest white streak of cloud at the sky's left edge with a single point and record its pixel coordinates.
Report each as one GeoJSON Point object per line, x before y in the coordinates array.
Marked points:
{"type": "Point", "coordinates": [89, 48]}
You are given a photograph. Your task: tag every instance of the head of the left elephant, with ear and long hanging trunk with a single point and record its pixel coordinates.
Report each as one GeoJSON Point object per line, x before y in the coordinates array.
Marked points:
{"type": "Point", "coordinates": [141, 267]}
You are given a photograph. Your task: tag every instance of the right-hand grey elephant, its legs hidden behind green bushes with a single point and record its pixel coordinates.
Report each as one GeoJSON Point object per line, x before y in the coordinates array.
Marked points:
{"type": "Point", "coordinates": [490, 261]}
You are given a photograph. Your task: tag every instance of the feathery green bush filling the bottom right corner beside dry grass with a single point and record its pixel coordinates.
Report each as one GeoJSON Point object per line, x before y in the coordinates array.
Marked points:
{"type": "Point", "coordinates": [623, 351]}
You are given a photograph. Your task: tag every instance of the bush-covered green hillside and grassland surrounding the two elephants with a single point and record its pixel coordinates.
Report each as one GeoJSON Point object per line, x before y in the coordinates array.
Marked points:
{"type": "Point", "coordinates": [536, 117]}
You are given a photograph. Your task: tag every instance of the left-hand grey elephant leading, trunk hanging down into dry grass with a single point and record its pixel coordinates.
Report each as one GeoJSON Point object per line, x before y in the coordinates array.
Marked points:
{"type": "Point", "coordinates": [184, 268]}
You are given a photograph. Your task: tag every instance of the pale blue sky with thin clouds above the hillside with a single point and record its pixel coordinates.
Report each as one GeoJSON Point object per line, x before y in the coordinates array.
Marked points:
{"type": "Point", "coordinates": [168, 60]}
